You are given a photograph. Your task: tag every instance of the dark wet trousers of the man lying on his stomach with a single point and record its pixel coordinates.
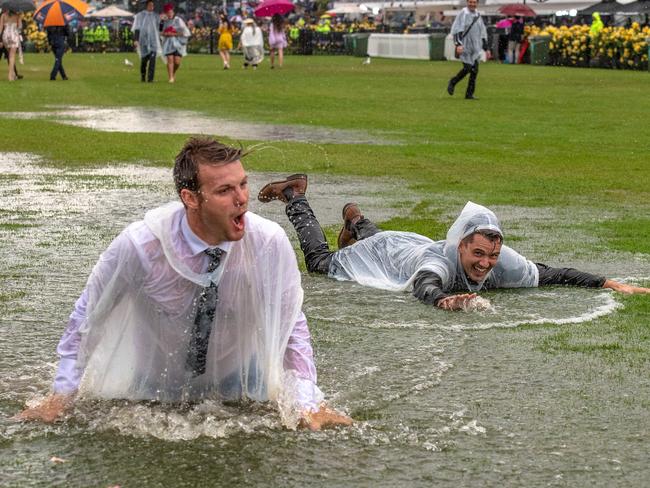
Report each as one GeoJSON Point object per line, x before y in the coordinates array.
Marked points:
{"type": "Point", "coordinates": [313, 243]}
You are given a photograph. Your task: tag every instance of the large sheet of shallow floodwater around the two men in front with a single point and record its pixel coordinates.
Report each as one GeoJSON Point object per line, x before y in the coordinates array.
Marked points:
{"type": "Point", "coordinates": [440, 399]}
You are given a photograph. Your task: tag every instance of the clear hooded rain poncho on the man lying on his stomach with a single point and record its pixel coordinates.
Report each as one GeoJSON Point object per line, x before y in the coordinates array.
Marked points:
{"type": "Point", "coordinates": [390, 260]}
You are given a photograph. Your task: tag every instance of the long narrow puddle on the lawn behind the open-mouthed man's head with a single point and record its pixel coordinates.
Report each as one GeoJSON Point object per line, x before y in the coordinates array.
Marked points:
{"type": "Point", "coordinates": [148, 120]}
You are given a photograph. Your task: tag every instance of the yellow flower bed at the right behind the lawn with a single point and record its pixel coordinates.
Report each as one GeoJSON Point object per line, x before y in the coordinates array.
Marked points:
{"type": "Point", "coordinates": [613, 47]}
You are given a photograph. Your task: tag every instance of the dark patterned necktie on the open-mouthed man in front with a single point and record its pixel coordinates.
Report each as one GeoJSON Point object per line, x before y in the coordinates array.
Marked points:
{"type": "Point", "coordinates": [204, 318]}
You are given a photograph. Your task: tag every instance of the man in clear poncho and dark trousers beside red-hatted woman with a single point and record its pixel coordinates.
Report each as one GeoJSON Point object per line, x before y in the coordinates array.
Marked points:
{"type": "Point", "coordinates": [147, 40]}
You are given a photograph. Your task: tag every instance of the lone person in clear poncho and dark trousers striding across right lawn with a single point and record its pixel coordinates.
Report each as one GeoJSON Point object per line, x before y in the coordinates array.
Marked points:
{"type": "Point", "coordinates": [470, 36]}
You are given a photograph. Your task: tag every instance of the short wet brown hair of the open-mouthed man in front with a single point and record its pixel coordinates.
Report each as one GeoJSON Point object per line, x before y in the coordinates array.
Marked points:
{"type": "Point", "coordinates": [197, 151]}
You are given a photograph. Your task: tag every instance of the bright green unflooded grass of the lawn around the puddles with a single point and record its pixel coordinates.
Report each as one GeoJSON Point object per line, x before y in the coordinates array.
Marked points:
{"type": "Point", "coordinates": [538, 137]}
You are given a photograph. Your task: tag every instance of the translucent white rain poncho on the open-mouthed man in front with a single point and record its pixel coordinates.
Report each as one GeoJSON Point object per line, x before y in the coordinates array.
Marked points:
{"type": "Point", "coordinates": [135, 341]}
